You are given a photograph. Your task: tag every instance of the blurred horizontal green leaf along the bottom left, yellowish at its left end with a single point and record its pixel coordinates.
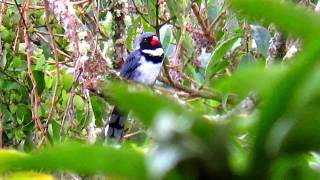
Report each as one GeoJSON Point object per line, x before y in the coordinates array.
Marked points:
{"type": "Point", "coordinates": [78, 158]}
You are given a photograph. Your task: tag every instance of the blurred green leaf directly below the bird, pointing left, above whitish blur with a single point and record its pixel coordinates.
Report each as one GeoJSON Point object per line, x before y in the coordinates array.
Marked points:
{"type": "Point", "coordinates": [147, 106]}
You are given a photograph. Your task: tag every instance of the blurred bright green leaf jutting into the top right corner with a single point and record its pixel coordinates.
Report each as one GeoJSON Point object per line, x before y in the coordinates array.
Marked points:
{"type": "Point", "coordinates": [306, 23]}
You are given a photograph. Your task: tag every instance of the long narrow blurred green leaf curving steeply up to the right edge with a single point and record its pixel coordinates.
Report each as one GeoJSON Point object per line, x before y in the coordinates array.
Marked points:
{"type": "Point", "coordinates": [279, 98]}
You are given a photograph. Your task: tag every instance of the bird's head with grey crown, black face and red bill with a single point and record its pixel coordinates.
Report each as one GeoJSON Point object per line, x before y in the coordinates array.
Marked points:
{"type": "Point", "coordinates": [149, 44]}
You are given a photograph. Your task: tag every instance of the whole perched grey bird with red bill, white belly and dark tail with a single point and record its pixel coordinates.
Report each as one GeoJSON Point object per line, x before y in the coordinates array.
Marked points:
{"type": "Point", "coordinates": [143, 66]}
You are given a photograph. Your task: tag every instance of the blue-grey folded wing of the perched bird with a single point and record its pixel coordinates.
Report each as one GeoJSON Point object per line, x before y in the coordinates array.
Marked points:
{"type": "Point", "coordinates": [130, 65]}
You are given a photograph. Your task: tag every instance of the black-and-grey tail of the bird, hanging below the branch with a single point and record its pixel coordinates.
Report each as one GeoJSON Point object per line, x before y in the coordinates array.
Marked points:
{"type": "Point", "coordinates": [116, 124]}
